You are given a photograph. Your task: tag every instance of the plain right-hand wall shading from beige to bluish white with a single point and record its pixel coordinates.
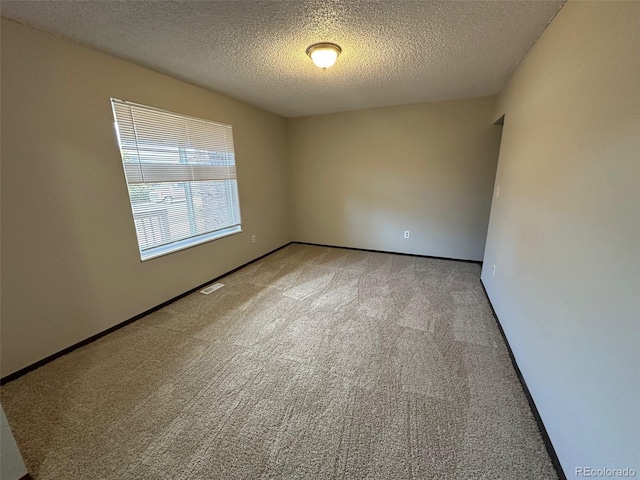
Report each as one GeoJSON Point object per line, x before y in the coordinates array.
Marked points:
{"type": "Point", "coordinates": [564, 233]}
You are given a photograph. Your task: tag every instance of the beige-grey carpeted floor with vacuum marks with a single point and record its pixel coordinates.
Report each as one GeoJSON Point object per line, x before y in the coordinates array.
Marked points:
{"type": "Point", "coordinates": [312, 363]}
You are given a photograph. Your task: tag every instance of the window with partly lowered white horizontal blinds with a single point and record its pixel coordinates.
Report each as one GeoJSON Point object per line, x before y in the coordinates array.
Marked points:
{"type": "Point", "coordinates": [181, 176]}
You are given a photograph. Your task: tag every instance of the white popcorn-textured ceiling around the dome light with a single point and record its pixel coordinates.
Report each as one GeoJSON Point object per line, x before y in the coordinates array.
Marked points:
{"type": "Point", "coordinates": [393, 52]}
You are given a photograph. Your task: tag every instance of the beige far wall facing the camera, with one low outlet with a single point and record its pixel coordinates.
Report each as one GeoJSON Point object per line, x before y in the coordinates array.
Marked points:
{"type": "Point", "coordinates": [360, 179]}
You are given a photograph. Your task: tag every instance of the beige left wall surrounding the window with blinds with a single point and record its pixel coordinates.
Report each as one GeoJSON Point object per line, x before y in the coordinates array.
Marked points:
{"type": "Point", "coordinates": [70, 261]}
